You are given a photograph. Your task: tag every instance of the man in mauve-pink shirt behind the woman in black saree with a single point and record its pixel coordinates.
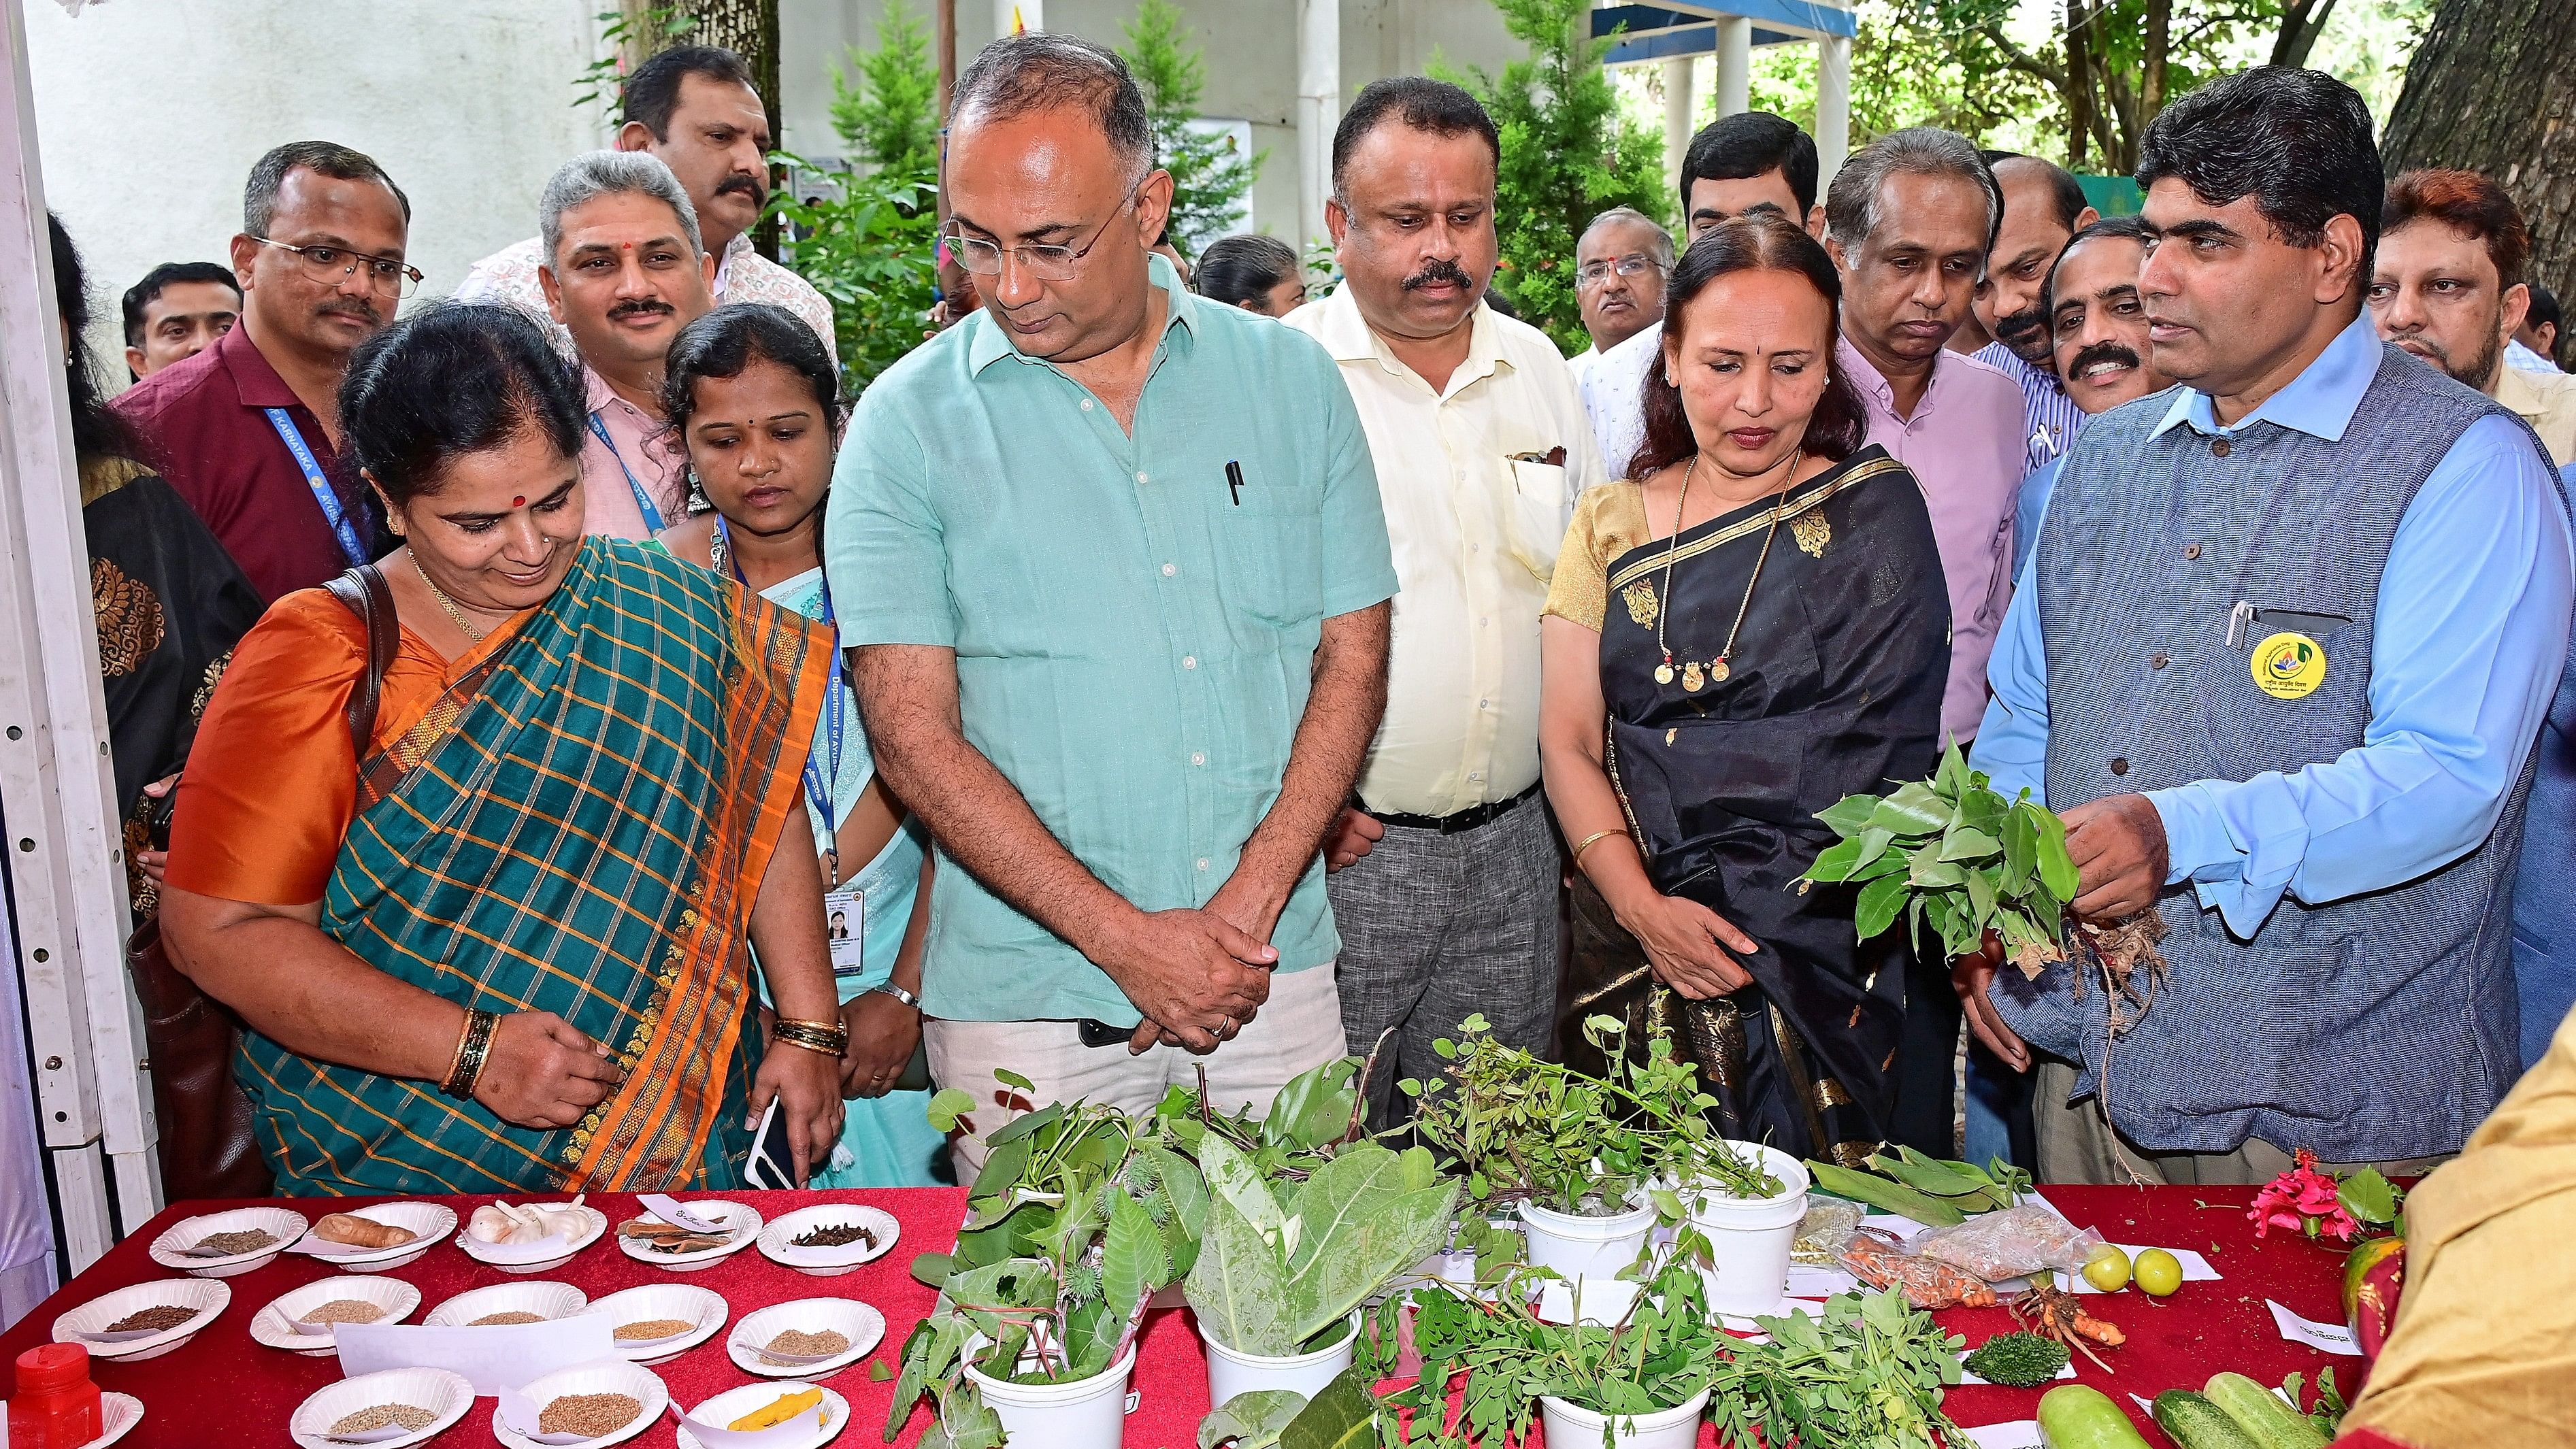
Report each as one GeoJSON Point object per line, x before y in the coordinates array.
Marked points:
{"type": "Point", "coordinates": [1910, 220]}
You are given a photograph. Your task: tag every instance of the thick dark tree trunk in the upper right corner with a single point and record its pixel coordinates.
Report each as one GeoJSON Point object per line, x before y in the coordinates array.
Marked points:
{"type": "Point", "coordinates": [2490, 91]}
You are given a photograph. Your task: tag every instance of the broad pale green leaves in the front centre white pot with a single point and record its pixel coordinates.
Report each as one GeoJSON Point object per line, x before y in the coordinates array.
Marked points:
{"type": "Point", "coordinates": [1287, 1262]}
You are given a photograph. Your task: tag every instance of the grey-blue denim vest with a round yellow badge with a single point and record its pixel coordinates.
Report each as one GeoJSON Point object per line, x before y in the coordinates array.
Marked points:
{"type": "Point", "coordinates": [2369, 1028]}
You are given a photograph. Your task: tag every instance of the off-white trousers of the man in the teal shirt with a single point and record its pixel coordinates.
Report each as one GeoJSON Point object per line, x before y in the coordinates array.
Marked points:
{"type": "Point", "coordinates": [1297, 1031]}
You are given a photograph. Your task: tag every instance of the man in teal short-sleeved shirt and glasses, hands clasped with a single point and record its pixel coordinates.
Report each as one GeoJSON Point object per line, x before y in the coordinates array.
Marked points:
{"type": "Point", "coordinates": [1114, 578]}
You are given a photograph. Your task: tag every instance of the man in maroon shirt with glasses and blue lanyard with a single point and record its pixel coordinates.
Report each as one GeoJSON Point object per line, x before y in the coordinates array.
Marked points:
{"type": "Point", "coordinates": [249, 431]}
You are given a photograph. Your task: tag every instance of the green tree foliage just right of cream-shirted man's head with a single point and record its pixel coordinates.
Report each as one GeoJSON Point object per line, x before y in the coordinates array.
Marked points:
{"type": "Point", "coordinates": [1567, 156]}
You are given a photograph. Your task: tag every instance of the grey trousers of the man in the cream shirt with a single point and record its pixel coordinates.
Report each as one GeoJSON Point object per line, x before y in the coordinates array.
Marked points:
{"type": "Point", "coordinates": [1444, 928]}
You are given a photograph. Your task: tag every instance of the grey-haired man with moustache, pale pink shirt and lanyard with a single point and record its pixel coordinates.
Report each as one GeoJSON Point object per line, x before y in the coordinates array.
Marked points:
{"type": "Point", "coordinates": [625, 272]}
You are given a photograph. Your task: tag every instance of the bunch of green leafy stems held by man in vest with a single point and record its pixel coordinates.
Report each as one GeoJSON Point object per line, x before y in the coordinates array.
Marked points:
{"type": "Point", "coordinates": [1956, 856]}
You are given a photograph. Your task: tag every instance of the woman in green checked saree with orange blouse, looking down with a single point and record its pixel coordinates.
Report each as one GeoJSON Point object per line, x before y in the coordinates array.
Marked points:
{"type": "Point", "coordinates": [506, 948]}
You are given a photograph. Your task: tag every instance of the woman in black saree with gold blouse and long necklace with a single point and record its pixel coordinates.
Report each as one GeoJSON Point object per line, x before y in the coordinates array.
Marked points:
{"type": "Point", "coordinates": [1743, 632]}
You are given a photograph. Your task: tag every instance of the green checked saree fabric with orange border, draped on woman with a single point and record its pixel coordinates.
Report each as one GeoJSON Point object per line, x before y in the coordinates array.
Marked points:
{"type": "Point", "coordinates": [576, 827]}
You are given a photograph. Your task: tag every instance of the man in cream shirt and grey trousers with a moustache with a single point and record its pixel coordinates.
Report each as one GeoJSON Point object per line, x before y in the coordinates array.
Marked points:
{"type": "Point", "coordinates": [1446, 871]}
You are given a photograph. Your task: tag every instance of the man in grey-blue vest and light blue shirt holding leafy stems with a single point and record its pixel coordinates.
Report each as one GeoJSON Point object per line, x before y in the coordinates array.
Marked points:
{"type": "Point", "coordinates": [2289, 640]}
